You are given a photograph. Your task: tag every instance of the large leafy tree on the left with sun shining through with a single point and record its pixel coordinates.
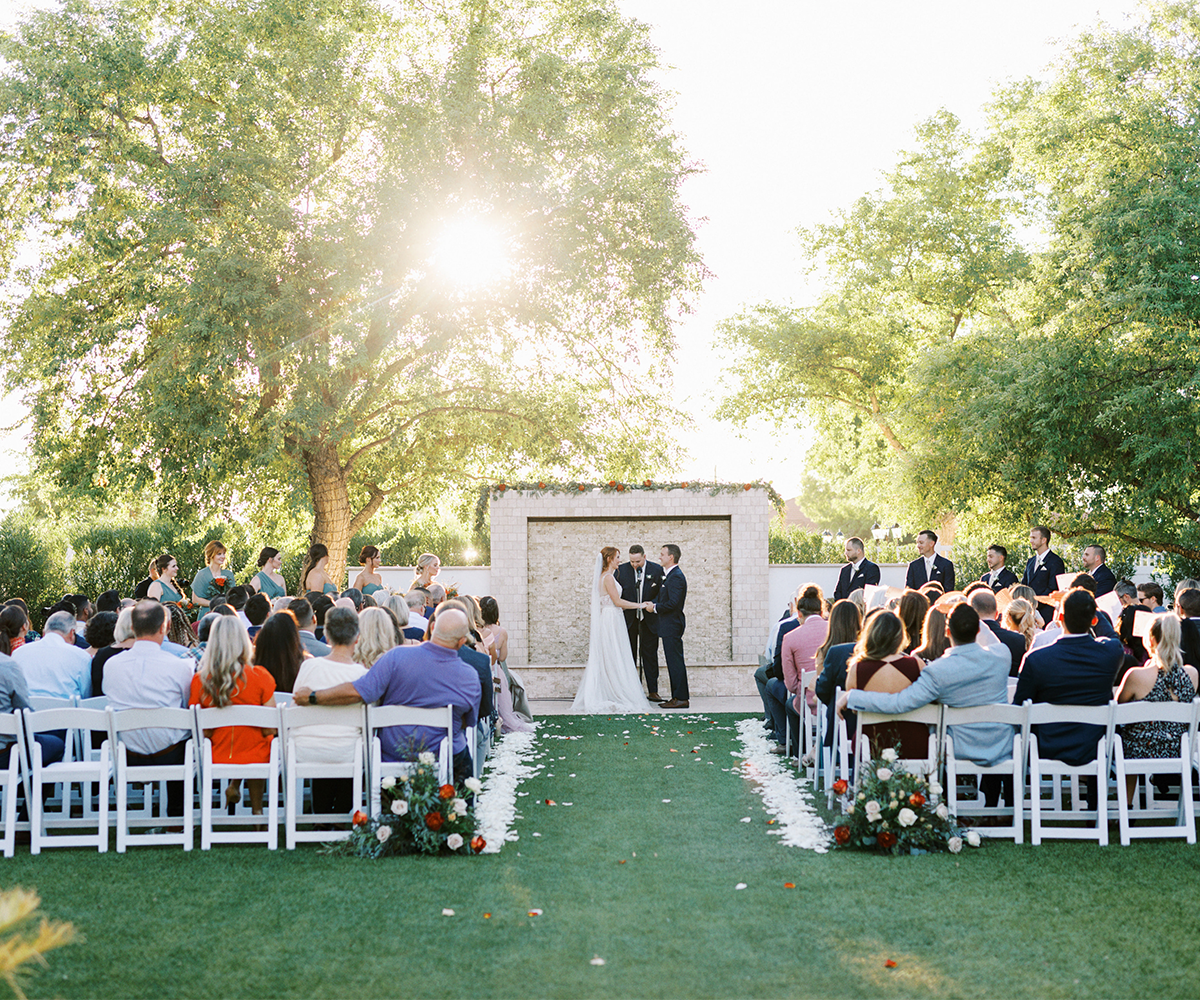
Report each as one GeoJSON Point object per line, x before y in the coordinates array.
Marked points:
{"type": "Point", "coordinates": [265, 232]}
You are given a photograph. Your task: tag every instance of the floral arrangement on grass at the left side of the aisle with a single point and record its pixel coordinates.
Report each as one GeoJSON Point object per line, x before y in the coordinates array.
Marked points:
{"type": "Point", "coordinates": [421, 816]}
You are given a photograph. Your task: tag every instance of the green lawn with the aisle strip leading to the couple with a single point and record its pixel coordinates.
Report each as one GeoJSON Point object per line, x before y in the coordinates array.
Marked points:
{"type": "Point", "coordinates": [1063, 920]}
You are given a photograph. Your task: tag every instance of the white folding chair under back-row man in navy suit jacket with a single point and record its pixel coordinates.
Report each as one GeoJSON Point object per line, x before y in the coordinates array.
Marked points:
{"type": "Point", "coordinates": [1048, 818]}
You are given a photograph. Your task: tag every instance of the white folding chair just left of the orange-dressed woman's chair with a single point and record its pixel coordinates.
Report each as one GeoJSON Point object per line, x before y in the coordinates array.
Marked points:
{"type": "Point", "coordinates": [149, 776]}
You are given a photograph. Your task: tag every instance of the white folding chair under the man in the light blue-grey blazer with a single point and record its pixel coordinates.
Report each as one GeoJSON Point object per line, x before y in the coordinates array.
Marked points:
{"type": "Point", "coordinates": [1016, 716]}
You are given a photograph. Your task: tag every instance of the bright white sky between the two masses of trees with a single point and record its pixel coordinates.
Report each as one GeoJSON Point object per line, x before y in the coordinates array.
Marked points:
{"type": "Point", "coordinates": [795, 109]}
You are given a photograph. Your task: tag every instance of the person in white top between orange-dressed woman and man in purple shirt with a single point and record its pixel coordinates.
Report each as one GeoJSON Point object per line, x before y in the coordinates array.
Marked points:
{"type": "Point", "coordinates": [332, 744]}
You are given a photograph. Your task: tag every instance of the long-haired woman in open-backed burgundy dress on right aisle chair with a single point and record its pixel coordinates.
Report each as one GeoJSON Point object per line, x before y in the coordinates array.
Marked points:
{"type": "Point", "coordinates": [879, 664]}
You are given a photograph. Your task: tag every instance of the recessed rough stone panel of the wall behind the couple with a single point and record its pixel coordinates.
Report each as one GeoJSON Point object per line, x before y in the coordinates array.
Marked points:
{"type": "Point", "coordinates": [561, 562]}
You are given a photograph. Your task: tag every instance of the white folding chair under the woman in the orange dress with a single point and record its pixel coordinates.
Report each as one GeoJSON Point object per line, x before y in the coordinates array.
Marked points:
{"type": "Point", "coordinates": [239, 829]}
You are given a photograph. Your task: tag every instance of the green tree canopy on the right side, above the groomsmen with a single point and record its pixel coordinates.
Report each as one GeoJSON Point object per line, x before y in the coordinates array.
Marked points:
{"type": "Point", "coordinates": [1016, 314]}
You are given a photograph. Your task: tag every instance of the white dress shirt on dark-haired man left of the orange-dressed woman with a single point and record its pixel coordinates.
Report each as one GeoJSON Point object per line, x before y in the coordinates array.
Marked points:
{"type": "Point", "coordinates": [146, 676]}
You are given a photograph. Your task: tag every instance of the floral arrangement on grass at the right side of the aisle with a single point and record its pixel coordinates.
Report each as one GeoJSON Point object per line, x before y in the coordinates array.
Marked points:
{"type": "Point", "coordinates": [897, 812]}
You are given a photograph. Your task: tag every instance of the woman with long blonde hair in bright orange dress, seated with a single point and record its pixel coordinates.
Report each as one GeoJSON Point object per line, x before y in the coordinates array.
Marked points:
{"type": "Point", "coordinates": [229, 678]}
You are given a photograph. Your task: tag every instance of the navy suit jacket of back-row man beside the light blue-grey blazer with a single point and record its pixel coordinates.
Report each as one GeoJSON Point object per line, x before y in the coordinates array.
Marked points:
{"type": "Point", "coordinates": [1073, 670]}
